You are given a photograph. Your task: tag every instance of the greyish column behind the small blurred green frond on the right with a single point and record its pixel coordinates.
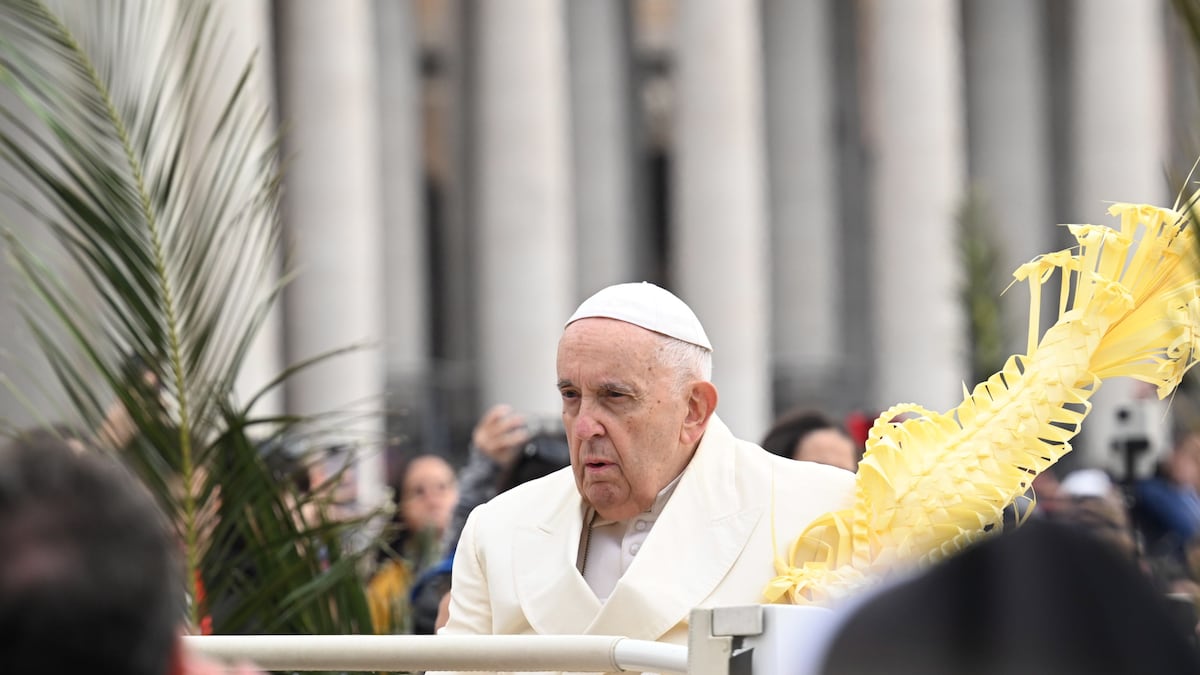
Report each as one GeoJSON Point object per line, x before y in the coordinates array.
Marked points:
{"type": "Point", "coordinates": [1011, 159]}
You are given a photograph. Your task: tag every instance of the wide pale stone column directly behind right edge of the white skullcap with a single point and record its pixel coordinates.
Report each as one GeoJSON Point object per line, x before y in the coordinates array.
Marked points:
{"type": "Point", "coordinates": [718, 258]}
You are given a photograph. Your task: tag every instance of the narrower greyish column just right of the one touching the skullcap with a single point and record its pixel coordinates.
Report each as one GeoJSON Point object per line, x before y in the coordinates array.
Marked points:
{"type": "Point", "coordinates": [806, 250]}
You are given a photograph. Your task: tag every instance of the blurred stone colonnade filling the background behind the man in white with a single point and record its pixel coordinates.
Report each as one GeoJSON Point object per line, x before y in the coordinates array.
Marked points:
{"type": "Point", "coordinates": [808, 175]}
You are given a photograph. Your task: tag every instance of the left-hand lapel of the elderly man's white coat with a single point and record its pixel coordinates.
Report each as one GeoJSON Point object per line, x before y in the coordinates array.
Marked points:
{"type": "Point", "coordinates": [553, 594]}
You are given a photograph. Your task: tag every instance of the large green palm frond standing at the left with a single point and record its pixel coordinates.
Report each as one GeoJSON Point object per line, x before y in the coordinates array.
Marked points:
{"type": "Point", "coordinates": [171, 217]}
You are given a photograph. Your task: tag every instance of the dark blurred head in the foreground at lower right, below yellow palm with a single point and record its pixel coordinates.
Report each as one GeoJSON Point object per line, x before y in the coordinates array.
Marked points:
{"type": "Point", "coordinates": [1043, 599]}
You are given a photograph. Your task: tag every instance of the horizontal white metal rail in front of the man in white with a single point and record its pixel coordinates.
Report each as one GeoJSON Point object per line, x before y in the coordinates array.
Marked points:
{"type": "Point", "coordinates": [597, 654]}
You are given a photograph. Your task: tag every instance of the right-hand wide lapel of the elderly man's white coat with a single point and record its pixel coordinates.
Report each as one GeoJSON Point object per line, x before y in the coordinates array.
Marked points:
{"type": "Point", "coordinates": [695, 542]}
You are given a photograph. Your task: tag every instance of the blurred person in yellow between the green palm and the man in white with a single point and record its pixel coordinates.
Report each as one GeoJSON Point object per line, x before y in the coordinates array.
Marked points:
{"type": "Point", "coordinates": [425, 501]}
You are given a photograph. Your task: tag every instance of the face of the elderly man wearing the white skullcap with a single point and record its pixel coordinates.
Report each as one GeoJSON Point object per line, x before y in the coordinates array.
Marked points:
{"type": "Point", "coordinates": [625, 415]}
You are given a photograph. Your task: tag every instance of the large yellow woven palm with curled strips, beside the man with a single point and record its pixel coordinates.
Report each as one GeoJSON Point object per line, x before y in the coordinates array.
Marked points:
{"type": "Point", "coordinates": [933, 485]}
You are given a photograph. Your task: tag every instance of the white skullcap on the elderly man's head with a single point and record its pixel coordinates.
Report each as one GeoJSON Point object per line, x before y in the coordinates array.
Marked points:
{"type": "Point", "coordinates": [649, 307]}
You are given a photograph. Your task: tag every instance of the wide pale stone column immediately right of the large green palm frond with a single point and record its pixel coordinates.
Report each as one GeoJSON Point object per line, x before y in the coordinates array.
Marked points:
{"type": "Point", "coordinates": [332, 208]}
